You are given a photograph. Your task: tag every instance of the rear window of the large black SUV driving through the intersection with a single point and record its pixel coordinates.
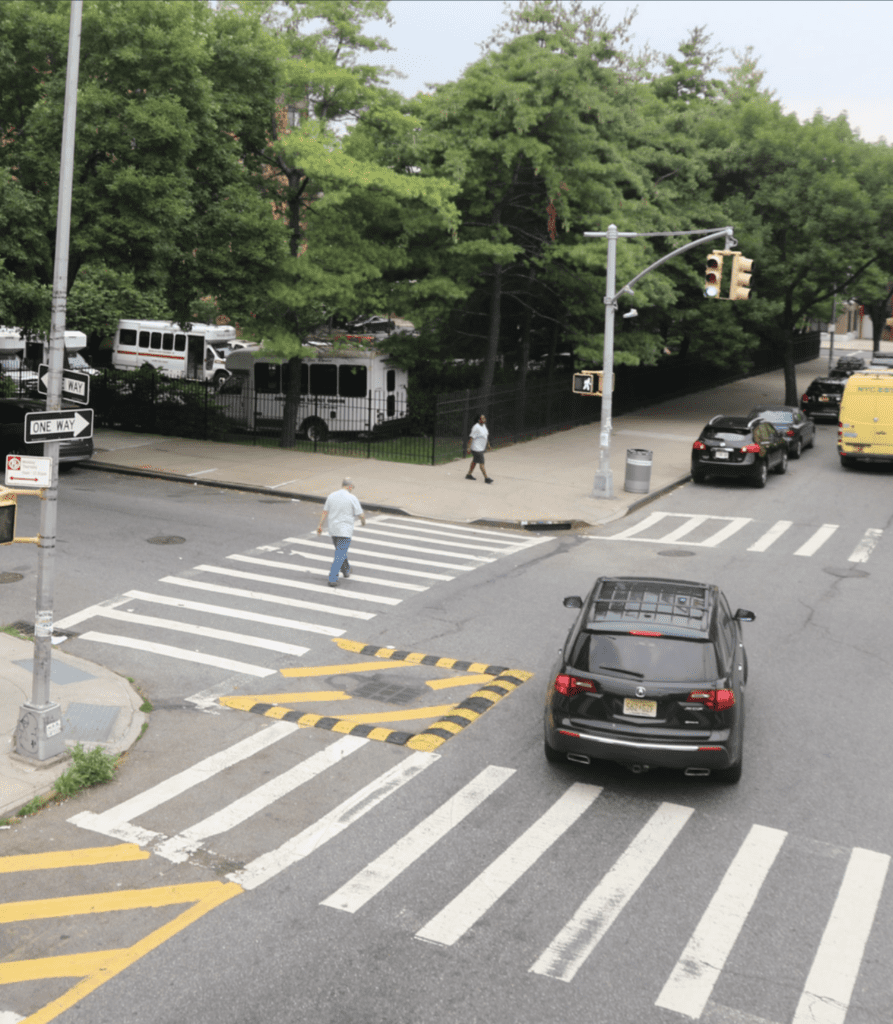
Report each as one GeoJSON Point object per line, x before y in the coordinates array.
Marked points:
{"type": "Point", "coordinates": [670, 660]}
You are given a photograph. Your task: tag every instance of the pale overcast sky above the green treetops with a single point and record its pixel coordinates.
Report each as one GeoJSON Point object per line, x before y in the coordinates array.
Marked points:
{"type": "Point", "coordinates": [818, 55]}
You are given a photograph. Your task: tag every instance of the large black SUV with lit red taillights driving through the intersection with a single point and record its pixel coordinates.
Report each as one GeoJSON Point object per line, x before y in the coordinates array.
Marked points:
{"type": "Point", "coordinates": [653, 674]}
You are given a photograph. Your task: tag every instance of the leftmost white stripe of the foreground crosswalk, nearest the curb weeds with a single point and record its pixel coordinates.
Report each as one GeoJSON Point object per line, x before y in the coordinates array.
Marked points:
{"type": "Point", "coordinates": [202, 772]}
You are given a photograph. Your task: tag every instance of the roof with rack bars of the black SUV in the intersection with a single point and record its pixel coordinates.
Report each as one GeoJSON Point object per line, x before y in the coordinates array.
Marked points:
{"type": "Point", "coordinates": [639, 602]}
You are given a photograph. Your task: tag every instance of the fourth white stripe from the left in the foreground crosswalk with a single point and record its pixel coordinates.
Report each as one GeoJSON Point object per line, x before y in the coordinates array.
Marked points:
{"type": "Point", "coordinates": [381, 872]}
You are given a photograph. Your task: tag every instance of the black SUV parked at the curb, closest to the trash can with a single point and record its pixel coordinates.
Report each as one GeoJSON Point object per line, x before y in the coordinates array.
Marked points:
{"type": "Point", "coordinates": [739, 446]}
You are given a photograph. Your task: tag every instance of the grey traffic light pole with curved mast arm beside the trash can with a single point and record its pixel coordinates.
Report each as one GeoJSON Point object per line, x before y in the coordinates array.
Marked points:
{"type": "Point", "coordinates": [604, 485]}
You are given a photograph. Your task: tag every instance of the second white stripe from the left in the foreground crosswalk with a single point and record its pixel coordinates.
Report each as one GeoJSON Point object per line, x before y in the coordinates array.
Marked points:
{"type": "Point", "coordinates": [179, 848]}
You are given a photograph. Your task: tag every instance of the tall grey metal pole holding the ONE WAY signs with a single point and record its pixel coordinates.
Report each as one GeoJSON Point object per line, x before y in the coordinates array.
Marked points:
{"type": "Point", "coordinates": [39, 731]}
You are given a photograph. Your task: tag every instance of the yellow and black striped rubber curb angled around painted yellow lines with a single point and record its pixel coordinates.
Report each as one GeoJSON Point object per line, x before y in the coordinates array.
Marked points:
{"type": "Point", "coordinates": [504, 681]}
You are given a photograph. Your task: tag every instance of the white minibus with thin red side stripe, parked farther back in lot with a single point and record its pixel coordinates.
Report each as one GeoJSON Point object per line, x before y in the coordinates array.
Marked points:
{"type": "Point", "coordinates": [197, 355]}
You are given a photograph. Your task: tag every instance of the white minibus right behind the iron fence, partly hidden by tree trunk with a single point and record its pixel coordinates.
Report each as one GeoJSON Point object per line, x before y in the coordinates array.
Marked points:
{"type": "Point", "coordinates": [352, 392]}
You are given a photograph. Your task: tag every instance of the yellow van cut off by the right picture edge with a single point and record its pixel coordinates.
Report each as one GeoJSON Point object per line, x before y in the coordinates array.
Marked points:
{"type": "Point", "coordinates": [866, 419]}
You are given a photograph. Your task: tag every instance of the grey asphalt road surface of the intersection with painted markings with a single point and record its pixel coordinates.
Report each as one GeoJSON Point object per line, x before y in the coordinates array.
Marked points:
{"type": "Point", "coordinates": [254, 871]}
